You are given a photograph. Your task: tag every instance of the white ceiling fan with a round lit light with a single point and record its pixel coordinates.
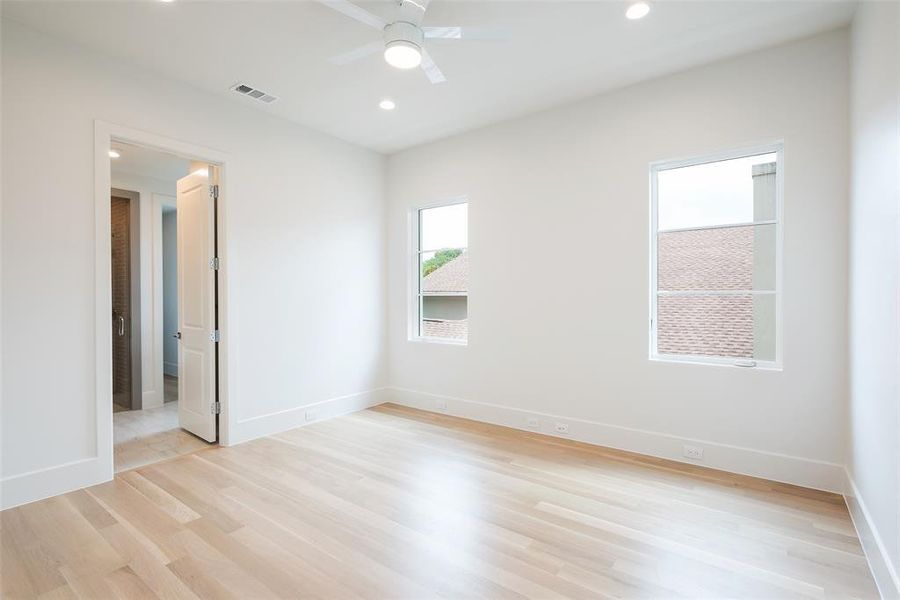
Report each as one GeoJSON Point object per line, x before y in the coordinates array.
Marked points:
{"type": "Point", "coordinates": [404, 37]}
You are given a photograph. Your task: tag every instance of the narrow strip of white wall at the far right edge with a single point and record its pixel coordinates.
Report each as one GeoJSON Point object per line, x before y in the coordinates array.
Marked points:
{"type": "Point", "coordinates": [874, 416]}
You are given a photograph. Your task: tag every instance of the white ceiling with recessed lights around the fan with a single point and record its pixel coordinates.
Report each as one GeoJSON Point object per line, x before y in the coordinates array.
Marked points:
{"type": "Point", "coordinates": [557, 52]}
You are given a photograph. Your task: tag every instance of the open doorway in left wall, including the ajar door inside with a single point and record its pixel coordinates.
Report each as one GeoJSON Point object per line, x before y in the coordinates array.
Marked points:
{"type": "Point", "coordinates": [164, 306]}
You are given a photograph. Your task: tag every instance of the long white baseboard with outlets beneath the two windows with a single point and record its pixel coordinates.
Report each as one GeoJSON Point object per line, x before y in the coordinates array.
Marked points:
{"type": "Point", "coordinates": [745, 461]}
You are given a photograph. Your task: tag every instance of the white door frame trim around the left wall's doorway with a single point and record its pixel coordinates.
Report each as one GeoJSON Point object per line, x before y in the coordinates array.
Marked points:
{"type": "Point", "coordinates": [104, 134]}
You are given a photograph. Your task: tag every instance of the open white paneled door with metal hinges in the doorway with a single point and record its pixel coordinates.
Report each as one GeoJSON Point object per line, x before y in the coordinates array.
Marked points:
{"type": "Point", "coordinates": [196, 306]}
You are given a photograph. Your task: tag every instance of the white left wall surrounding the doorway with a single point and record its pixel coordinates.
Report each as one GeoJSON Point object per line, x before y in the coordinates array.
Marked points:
{"type": "Point", "coordinates": [305, 247]}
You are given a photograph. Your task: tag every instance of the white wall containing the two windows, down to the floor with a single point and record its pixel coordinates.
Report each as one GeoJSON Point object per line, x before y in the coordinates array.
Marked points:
{"type": "Point", "coordinates": [559, 204]}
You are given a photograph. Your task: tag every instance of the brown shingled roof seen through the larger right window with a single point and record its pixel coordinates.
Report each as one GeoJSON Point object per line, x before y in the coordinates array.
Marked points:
{"type": "Point", "coordinates": [712, 259]}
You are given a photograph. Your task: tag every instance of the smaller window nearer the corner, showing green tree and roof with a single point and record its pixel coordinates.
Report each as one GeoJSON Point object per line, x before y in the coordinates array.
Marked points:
{"type": "Point", "coordinates": [441, 273]}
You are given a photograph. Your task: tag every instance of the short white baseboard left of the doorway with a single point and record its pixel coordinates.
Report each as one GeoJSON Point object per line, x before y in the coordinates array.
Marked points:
{"type": "Point", "coordinates": [52, 481]}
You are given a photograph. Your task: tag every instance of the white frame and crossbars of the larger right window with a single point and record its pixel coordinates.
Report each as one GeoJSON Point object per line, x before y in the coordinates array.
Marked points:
{"type": "Point", "coordinates": [774, 147]}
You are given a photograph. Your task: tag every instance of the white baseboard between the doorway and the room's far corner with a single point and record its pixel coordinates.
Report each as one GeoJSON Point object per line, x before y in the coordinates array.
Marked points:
{"type": "Point", "coordinates": [254, 427]}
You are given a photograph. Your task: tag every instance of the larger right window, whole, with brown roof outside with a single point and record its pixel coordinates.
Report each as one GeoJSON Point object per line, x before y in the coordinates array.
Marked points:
{"type": "Point", "coordinates": [715, 259]}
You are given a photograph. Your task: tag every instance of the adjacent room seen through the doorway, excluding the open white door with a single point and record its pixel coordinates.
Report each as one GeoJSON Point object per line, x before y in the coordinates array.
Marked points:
{"type": "Point", "coordinates": [144, 288]}
